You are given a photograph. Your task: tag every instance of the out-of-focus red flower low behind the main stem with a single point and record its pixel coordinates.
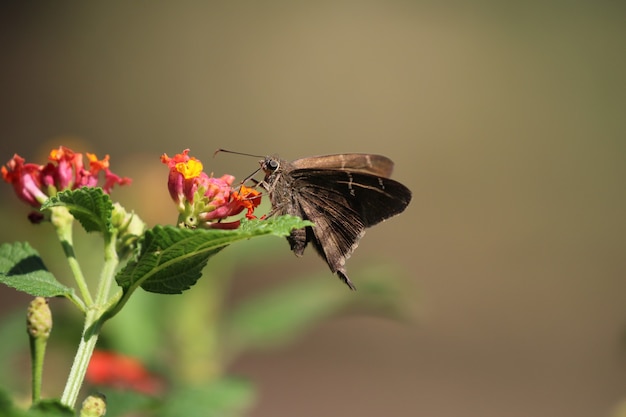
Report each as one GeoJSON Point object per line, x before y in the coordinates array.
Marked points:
{"type": "Point", "coordinates": [122, 372]}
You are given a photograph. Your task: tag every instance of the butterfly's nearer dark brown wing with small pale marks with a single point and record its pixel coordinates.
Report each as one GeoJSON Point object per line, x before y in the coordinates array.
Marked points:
{"type": "Point", "coordinates": [342, 204]}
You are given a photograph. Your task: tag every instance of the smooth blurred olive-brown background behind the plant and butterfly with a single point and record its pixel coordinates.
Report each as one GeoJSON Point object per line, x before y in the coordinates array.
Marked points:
{"type": "Point", "coordinates": [506, 119]}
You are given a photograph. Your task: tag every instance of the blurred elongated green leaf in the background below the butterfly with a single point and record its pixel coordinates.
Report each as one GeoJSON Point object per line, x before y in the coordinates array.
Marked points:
{"type": "Point", "coordinates": [282, 314]}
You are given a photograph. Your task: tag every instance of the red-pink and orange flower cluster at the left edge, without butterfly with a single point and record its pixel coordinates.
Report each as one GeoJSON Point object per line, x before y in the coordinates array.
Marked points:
{"type": "Point", "coordinates": [66, 170]}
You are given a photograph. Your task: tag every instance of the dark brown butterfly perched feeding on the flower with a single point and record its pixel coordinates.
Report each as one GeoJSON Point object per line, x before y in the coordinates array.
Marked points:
{"type": "Point", "coordinates": [341, 194]}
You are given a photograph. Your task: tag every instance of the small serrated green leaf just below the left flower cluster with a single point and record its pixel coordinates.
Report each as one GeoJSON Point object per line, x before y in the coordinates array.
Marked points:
{"type": "Point", "coordinates": [89, 205]}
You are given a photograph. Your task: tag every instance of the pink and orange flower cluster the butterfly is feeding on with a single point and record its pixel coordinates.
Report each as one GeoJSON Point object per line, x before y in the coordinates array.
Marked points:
{"type": "Point", "coordinates": [203, 200]}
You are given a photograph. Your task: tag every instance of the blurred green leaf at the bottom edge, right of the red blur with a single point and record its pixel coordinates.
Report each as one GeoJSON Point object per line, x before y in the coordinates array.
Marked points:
{"type": "Point", "coordinates": [227, 397]}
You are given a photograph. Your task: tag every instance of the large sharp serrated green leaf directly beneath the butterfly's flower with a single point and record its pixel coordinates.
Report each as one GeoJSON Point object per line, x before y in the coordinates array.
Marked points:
{"type": "Point", "coordinates": [171, 259]}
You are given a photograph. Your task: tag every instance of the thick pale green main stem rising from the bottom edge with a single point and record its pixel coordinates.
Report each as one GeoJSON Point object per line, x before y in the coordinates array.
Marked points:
{"type": "Point", "coordinates": [91, 332]}
